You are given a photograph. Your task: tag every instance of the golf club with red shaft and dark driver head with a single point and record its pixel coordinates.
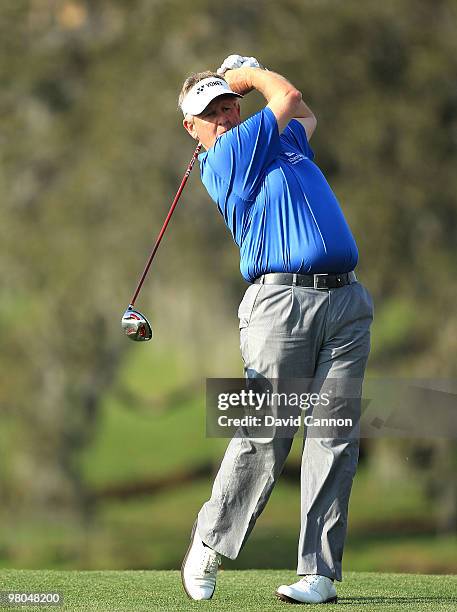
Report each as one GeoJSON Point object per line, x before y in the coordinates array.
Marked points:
{"type": "Point", "coordinates": [134, 324]}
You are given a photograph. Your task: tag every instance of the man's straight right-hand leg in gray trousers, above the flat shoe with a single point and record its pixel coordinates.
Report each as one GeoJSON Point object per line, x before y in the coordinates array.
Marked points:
{"type": "Point", "coordinates": [329, 464]}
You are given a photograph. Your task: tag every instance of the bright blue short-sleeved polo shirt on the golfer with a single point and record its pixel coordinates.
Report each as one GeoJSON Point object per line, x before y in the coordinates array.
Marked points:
{"type": "Point", "coordinates": [275, 201]}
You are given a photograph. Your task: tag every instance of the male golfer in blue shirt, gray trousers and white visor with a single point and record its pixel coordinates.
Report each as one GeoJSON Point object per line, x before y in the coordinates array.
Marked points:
{"type": "Point", "coordinates": [303, 316]}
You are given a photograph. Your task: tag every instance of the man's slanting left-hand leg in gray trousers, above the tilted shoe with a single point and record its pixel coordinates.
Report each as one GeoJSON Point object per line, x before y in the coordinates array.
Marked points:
{"type": "Point", "coordinates": [276, 344]}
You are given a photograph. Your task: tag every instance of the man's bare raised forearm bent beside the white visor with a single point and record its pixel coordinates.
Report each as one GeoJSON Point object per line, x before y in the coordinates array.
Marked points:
{"type": "Point", "coordinates": [283, 99]}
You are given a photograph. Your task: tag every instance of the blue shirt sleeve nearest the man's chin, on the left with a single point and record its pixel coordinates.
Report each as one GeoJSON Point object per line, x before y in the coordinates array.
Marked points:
{"type": "Point", "coordinates": [241, 155]}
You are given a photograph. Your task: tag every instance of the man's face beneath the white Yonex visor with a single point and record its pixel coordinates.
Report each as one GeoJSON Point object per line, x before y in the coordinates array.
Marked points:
{"type": "Point", "coordinates": [221, 115]}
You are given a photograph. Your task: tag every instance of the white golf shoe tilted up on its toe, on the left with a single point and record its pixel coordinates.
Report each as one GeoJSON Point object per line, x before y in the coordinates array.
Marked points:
{"type": "Point", "coordinates": [199, 568]}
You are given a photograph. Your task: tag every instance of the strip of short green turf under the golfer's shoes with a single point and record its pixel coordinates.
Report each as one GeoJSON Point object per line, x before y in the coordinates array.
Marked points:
{"type": "Point", "coordinates": [251, 590]}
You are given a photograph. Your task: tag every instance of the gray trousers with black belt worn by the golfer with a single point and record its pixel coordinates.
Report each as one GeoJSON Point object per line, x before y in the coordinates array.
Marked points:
{"type": "Point", "coordinates": [295, 333]}
